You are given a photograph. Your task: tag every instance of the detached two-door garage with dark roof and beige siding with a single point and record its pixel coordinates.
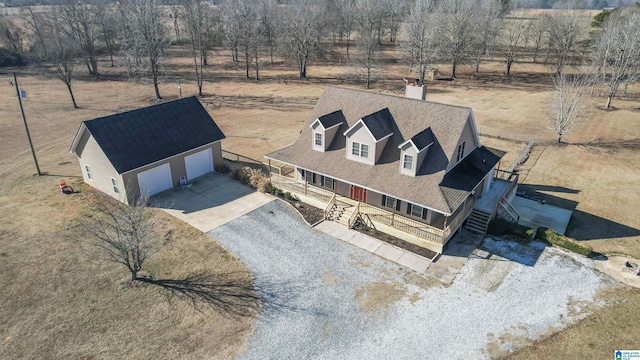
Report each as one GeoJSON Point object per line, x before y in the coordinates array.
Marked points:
{"type": "Point", "coordinates": [148, 150]}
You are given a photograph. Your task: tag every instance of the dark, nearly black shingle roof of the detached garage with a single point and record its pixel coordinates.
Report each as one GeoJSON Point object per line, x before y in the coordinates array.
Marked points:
{"type": "Point", "coordinates": [139, 137]}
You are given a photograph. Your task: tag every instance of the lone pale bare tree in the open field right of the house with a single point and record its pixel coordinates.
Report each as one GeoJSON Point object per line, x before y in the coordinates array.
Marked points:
{"type": "Point", "coordinates": [567, 102]}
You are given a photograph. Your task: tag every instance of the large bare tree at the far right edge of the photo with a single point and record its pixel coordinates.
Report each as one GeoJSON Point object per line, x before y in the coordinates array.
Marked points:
{"type": "Point", "coordinates": [617, 50]}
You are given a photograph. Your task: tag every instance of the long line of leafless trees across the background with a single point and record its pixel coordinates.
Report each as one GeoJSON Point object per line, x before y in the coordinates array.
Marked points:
{"type": "Point", "coordinates": [422, 33]}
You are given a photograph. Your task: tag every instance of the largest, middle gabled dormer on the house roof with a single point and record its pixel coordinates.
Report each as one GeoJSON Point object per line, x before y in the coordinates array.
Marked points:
{"type": "Point", "coordinates": [366, 139]}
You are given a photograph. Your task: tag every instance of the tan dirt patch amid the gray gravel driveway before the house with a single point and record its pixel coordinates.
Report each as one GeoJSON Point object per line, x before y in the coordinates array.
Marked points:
{"type": "Point", "coordinates": [377, 297]}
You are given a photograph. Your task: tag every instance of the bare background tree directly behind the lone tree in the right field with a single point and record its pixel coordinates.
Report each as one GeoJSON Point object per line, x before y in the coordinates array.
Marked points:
{"type": "Point", "coordinates": [565, 27]}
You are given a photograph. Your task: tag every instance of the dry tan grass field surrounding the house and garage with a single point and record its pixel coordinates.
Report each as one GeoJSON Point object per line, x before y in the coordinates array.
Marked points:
{"type": "Point", "coordinates": [59, 302]}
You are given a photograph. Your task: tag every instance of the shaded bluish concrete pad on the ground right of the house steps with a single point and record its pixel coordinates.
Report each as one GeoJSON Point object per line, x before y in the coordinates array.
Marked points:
{"type": "Point", "coordinates": [535, 214]}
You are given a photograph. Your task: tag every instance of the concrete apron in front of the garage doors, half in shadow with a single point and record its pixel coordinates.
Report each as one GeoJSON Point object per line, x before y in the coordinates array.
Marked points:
{"type": "Point", "coordinates": [213, 200]}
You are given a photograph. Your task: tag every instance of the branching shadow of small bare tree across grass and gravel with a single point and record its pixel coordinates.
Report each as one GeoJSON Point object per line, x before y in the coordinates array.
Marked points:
{"type": "Point", "coordinates": [232, 293]}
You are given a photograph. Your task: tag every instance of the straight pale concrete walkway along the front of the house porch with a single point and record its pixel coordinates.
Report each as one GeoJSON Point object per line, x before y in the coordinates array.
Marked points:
{"type": "Point", "coordinates": [375, 246]}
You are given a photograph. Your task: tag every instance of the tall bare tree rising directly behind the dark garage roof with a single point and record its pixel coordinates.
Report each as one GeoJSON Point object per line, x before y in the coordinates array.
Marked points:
{"type": "Point", "coordinates": [145, 36]}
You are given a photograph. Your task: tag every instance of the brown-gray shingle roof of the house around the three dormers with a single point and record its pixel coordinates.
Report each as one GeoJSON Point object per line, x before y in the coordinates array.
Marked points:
{"type": "Point", "coordinates": [409, 117]}
